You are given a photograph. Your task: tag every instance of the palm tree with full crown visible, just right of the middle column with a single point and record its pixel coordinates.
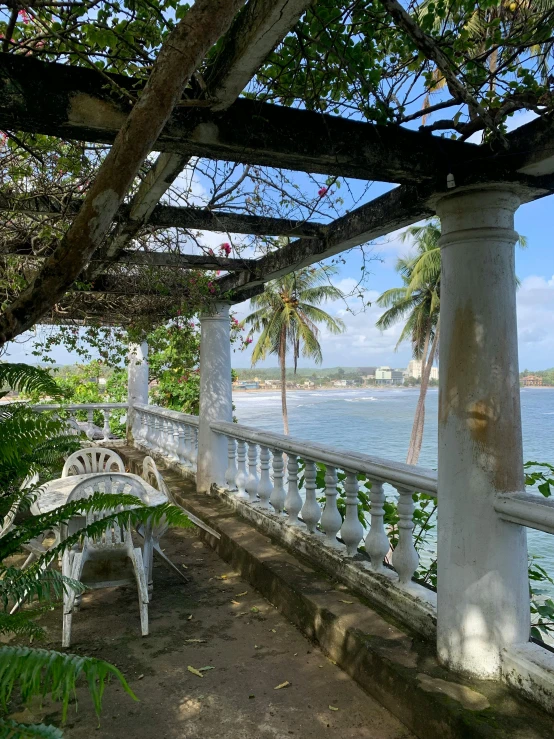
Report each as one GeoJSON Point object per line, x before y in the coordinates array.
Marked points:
{"type": "Point", "coordinates": [286, 316]}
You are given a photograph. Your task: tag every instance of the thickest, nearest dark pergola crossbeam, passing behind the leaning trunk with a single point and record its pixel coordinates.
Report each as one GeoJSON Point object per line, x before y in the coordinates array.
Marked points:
{"type": "Point", "coordinates": [76, 103]}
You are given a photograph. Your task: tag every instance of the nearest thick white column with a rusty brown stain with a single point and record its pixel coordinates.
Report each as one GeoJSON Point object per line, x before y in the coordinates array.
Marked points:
{"type": "Point", "coordinates": [483, 598]}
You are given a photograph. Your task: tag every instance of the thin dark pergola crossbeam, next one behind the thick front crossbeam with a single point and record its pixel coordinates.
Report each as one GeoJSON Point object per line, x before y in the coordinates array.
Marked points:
{"type": "Point", "coordinates": [169, 216]}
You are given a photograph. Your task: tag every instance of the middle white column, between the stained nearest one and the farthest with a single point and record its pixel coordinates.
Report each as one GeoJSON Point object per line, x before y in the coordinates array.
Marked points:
{"type": "Point", "coordinates": [215, 395]}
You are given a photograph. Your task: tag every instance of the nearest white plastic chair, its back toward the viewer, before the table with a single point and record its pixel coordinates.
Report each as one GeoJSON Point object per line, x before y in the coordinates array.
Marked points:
{"type": "Point", "coordinates": [114, 544]}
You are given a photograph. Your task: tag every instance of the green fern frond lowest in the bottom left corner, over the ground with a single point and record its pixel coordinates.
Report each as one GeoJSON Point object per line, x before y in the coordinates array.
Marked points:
{"type": "Point", "coordinates": [41, 672]}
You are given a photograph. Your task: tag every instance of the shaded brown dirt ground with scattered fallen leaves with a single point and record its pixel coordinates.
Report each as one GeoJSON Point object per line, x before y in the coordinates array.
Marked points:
{"type": "Point", "coordinates": [215, 621]}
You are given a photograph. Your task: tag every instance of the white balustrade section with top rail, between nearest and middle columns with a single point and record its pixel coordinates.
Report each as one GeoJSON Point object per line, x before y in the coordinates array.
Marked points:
{"type": "Point", "coordinates": [271, 490]}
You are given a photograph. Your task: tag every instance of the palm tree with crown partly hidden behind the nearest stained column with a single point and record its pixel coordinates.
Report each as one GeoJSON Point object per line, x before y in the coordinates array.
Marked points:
{"type": "Point", "coordinates": [418, 299]}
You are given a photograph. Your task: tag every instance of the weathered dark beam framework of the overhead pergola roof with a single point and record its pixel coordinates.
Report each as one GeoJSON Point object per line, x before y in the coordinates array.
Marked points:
{"type": "Point", "coordinates": [82, 104]}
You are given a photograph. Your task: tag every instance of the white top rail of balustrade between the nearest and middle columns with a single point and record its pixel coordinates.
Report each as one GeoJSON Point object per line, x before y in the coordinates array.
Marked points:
{"type": "Point", "coordinates": [384, 470]}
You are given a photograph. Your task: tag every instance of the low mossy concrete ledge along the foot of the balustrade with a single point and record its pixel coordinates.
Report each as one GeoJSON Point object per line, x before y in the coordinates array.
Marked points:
{"type": "Point", "coordinates": [396, 667]}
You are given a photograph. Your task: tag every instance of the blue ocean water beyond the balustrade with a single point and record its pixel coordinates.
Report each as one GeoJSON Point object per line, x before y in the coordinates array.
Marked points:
{"type": "Point", "coordinates": [379, 422]}
